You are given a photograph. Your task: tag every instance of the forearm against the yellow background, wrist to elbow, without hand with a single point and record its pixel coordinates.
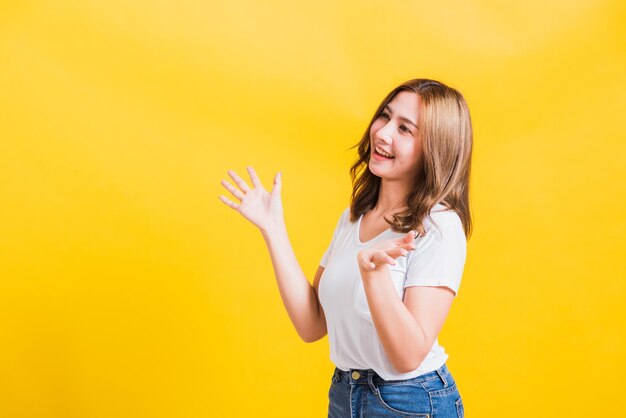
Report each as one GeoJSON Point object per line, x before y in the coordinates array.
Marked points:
{"type": "Point", "coordinates": [296, 292]}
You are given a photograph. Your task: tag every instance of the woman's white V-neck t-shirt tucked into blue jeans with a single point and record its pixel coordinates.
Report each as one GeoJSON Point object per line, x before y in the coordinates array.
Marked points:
{"type": "Point", "coordinates": [438, 260]}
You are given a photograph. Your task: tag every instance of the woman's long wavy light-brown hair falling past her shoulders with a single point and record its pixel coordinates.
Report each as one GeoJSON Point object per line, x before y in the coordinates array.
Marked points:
{"type": "Point", "coordinates": [444, 176]}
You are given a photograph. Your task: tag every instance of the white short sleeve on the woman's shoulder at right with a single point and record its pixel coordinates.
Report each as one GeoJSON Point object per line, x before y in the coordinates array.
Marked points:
{"type": "Point", "coordinates": [439, 258]}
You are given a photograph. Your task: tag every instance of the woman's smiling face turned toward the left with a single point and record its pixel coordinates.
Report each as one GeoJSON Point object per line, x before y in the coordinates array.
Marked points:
{"type": "Point", "coordinates": [395, 132]}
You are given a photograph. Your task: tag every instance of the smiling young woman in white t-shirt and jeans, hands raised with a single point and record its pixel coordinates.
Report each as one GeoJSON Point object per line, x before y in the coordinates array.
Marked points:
{"type": "Point", "coordinates": [395, 261]}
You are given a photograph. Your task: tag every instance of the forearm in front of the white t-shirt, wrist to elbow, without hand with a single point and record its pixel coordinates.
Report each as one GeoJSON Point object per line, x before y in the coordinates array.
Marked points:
{"type": "Point", "coordinates": [400, 334]}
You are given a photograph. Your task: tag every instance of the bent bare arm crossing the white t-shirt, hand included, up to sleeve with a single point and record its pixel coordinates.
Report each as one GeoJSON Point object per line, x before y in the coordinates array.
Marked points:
{"type": "Point", "coordinates": [407, 329]}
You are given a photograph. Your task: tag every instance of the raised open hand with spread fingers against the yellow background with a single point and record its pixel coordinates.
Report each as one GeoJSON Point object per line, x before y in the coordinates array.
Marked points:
{"type": "Point", "coordinates": [263, 209]}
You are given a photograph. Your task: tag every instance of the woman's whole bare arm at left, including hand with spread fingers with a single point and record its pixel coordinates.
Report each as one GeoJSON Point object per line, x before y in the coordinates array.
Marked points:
{"type": "Point", "coordinates": [265, 211]}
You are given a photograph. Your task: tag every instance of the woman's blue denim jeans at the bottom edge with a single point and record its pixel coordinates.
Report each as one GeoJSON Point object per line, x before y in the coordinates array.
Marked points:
{"type": "Point", "coordinates": [360, 393]}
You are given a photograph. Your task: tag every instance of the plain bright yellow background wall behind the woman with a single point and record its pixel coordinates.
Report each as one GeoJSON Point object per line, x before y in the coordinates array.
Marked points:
{"type": "Point", "coordinates": [129, 290]}
